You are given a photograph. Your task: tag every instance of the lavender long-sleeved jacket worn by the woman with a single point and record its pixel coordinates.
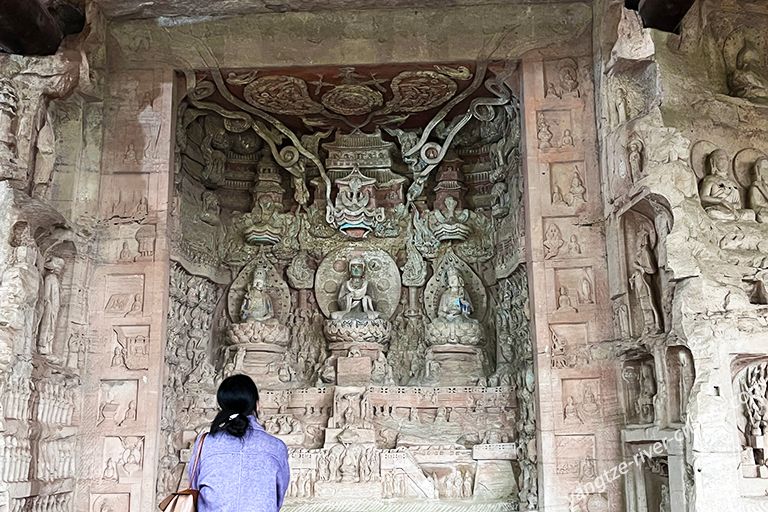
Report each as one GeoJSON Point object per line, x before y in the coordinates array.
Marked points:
{"type": "Point", "coordinates": [242, 475]}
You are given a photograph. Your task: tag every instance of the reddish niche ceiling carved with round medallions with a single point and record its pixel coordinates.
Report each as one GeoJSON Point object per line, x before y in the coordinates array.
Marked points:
{"type": "Point", "coordinates": [349, 98]}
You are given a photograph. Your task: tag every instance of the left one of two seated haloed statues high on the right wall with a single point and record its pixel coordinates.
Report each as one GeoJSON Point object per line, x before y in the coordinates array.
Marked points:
{"type": "Point", "coordinates": [720, 195]}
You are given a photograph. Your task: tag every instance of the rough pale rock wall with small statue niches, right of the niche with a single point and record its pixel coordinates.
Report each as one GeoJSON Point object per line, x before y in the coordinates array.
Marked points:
{"type": "Point", "coordinates": [682, 120]}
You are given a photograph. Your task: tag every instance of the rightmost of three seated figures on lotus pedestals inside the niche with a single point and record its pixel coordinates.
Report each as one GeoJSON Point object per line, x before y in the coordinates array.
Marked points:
{"type": "Point", "coordinates": [453, 324]}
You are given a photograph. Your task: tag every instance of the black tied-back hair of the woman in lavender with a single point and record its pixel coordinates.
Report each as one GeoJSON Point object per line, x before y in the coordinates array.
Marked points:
{"type": "Point", "coordinates": [237, 397]}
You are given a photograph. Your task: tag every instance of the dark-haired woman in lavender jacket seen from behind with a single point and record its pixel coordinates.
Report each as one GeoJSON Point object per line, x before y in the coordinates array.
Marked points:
{"type": "Point", "coordinates": [242, 468]}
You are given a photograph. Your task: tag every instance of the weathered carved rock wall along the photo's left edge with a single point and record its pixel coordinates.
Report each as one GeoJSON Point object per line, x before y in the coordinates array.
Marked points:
{"type": "Point", "coordinates": [50, 165]}
